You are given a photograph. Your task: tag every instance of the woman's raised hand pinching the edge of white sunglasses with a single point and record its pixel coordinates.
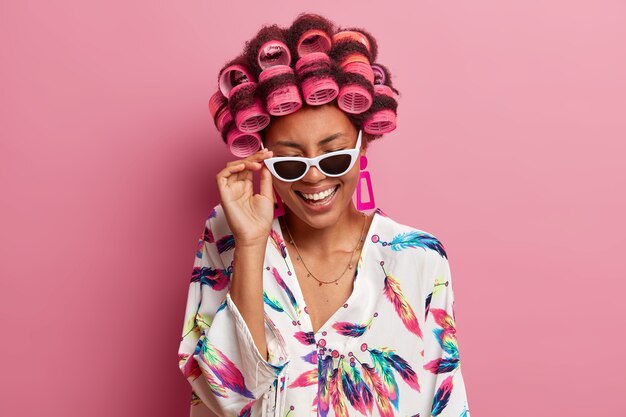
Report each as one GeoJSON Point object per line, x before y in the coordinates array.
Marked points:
{"type": "Point", "coordinates": [249, 215]}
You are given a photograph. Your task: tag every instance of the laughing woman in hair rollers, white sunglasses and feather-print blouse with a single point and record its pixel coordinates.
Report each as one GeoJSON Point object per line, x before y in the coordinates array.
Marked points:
{"type": "Point", "coordinates": [306, 305]}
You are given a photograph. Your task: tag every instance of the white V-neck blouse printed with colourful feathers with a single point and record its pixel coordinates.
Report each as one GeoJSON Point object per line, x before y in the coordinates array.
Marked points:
{"type": "Point", "coordinates": [391, 350]}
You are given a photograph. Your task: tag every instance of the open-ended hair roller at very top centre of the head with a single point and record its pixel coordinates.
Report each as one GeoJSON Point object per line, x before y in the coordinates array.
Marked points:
{"type": "Point", "coordinates": [310, 33]}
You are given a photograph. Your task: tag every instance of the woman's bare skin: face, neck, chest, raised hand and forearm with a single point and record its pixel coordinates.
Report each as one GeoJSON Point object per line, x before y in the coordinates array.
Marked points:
{"type": "Point", "coordinates": [326, 240]}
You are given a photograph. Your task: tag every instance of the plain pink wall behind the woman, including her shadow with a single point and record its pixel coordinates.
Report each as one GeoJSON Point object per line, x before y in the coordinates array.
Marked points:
{"type": "Point", "coordinates": [509, 145]}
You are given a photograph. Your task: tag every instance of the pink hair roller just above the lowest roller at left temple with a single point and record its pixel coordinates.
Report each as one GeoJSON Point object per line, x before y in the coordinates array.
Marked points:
{"type": "Point", "coordinates": [250, 116]}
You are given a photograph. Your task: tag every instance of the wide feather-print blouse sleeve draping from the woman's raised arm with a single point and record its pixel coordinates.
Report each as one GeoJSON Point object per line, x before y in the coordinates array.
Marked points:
{"type": "Point", "coordinates": [217, 353]}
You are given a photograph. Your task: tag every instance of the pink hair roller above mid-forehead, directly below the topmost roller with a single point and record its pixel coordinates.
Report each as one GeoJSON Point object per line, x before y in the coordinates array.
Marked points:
{"type": "Point", "coordinates": [317, 78]}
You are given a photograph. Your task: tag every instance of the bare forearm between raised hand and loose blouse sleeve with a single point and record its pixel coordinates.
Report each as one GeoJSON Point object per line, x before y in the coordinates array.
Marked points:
{"type": "Point", "coordinates": [246, 290]}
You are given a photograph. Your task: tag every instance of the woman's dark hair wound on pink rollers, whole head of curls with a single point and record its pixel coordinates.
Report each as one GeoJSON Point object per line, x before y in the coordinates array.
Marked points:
{"type": "Point", "coordinates": [311, 63]}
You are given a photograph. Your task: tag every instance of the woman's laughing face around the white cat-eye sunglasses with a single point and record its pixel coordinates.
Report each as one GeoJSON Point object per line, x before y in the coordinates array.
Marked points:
{"type": "Point", "coordinates": [309, 132]}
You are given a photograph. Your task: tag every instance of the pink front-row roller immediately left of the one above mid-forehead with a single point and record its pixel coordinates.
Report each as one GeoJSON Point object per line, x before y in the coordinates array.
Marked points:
{"type": "Point", "coordinates": [279, 90]}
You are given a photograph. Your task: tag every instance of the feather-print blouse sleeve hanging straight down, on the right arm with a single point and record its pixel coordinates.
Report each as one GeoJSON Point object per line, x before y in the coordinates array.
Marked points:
{"type": "Point", "coordinates": [444, 383]}
